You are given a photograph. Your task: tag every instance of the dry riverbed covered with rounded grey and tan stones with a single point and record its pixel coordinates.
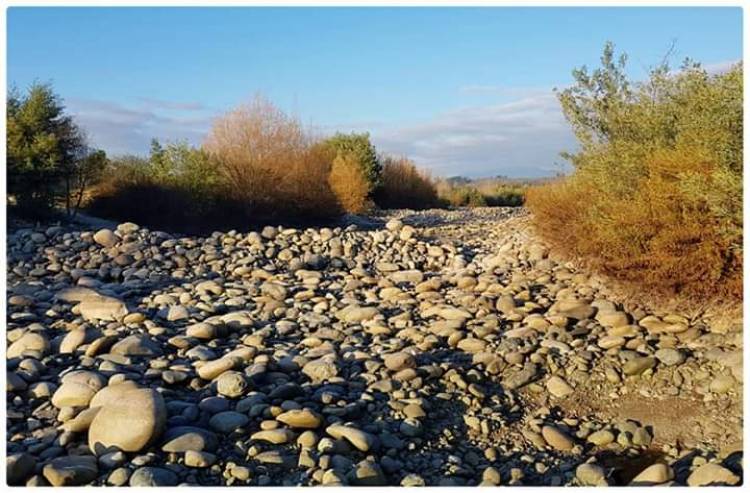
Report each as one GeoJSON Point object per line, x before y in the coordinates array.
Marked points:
{"type": "Point", "coordinates": [412, 348]}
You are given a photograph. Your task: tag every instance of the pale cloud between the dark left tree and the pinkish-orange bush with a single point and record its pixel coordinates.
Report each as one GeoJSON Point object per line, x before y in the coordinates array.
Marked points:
{"type": "Point", "coordinates": [125, 129]}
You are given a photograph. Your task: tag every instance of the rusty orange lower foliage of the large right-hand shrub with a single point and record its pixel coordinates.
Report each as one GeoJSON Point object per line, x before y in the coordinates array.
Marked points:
{"type": "Point", "coordinates": [663, 237]}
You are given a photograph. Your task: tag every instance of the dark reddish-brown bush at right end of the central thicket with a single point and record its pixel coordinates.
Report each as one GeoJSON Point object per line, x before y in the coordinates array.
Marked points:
{"type": "Point", "coordinates": [405, 186]}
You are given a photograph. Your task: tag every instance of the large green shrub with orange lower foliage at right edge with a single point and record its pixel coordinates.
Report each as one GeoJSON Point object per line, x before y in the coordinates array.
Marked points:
{"type": "Point", "coordinates": [656, 195]}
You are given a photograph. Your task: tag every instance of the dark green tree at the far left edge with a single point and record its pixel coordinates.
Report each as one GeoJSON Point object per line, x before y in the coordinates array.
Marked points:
{"type": "Point", "coordinates": [43, 146]}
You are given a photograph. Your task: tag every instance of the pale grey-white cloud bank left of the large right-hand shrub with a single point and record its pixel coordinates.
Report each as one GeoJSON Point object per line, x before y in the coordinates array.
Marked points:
{"type": "Point", "coordinates": [522, 138]}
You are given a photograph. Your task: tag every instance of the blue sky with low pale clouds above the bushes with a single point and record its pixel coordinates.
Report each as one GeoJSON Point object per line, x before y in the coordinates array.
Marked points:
{"type": "Point", "coordinates": [460, 90]}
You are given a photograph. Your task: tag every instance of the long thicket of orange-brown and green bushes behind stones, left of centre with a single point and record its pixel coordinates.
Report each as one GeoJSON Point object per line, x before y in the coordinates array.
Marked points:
{"type": "Point", "coordinates": [258, 164]}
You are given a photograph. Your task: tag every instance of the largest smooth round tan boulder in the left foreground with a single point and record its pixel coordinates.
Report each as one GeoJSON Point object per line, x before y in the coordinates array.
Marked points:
{"type": "Point", "coordinates": [129, 423]}
